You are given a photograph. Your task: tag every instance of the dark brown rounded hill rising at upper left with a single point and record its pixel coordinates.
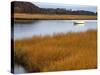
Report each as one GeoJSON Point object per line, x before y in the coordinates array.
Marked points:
{"type": "Point", "coordinates": [24, 7]}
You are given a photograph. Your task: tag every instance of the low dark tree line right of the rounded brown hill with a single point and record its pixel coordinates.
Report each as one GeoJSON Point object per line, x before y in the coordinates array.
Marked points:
{"type": "Point", "coordinates": [64, 11]}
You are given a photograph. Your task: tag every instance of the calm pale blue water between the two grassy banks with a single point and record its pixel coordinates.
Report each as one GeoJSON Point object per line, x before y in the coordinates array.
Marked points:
{"type": "Point", "coordinates": [49, 27]}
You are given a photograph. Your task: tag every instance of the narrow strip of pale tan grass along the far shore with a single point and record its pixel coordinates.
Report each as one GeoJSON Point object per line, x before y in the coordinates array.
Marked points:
{"type": "Point", "coordinates": [23, 16]}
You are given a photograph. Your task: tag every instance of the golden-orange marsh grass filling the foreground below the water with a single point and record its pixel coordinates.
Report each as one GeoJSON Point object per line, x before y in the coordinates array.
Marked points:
{"type": "Point", "coordinates": [59, 52]}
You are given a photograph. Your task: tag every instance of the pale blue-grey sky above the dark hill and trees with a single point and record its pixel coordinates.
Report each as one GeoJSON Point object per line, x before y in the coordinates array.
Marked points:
{"type": "Point", "coordinates": [67, 6]}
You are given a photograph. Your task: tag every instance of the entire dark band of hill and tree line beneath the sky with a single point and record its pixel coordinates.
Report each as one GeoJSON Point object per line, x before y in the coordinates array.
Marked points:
{"type": "Point", "coordinates": [28, 7]}
